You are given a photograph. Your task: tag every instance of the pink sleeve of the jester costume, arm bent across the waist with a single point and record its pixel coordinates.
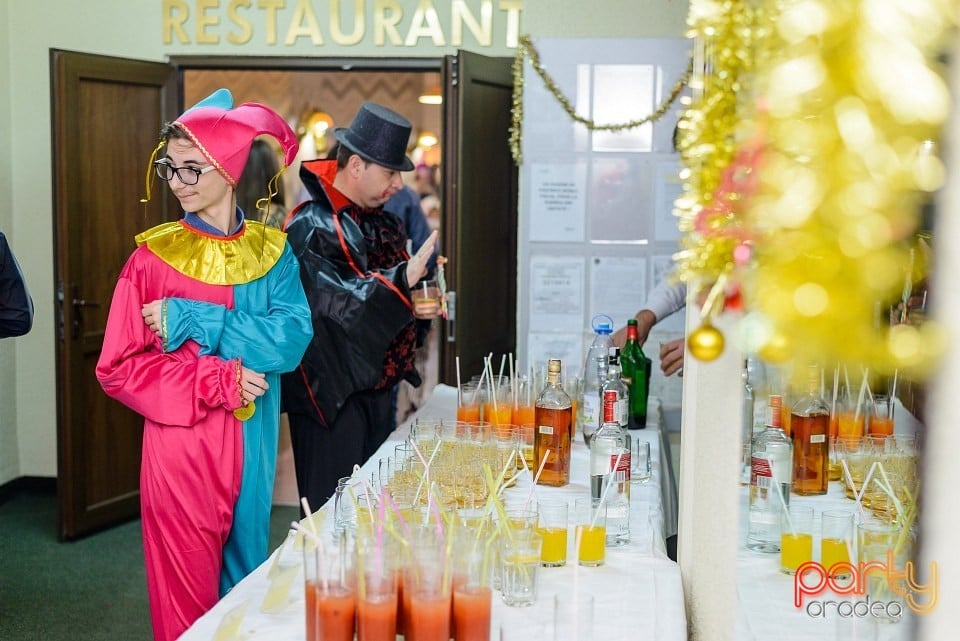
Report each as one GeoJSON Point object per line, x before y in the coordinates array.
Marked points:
{"type": "Point", "coordinates": [179, 388]}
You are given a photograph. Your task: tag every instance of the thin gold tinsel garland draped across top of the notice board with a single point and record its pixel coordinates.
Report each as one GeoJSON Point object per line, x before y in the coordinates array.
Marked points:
{"type": "Point", "coordinates": [525, 49]}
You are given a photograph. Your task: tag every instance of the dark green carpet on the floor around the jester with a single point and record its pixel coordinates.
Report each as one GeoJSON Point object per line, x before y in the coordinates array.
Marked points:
{"type": "Point", "coordinates": [92, 589]}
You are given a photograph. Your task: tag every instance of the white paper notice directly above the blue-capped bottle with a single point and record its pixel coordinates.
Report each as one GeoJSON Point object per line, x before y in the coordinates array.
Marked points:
{"type": "Point", "coordinates": [618, 287]}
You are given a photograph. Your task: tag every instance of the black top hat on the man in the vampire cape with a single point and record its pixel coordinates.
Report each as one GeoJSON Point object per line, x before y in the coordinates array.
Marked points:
{"type": "Point", "coordinates": [378, 135]}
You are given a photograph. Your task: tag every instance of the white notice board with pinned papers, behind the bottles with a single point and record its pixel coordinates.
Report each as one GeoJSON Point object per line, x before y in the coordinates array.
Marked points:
{"type": "Point", "coordinates": [597, 229]}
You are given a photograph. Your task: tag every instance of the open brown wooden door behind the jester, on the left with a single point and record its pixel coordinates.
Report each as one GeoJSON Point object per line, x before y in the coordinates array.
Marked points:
{"type": "Point", "coordinates": [107, 113]}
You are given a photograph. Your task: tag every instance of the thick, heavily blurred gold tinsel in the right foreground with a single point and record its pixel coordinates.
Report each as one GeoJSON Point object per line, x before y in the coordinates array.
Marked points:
{"type": "Point", "coordinates": [851, 102]}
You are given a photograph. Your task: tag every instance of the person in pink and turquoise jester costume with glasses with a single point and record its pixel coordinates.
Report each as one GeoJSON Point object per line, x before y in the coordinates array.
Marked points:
{"type": "Point", "coordinates": [207, 313]}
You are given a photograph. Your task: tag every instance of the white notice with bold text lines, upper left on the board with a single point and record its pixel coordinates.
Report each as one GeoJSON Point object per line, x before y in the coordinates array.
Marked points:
{"type": "Point", "coordinates": [557, 202]}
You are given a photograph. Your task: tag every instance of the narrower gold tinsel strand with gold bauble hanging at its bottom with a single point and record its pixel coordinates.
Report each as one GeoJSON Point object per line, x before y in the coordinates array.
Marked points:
{"type": "Point", "coordinates": [716, 168]}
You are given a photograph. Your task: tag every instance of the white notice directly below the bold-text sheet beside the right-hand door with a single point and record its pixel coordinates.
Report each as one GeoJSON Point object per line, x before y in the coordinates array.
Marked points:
{"type": "Point", "coordinates": [556, 294]}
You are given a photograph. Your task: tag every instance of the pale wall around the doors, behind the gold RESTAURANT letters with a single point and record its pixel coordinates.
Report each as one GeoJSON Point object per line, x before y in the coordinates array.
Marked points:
{"type": "Point", "coordinates": [132, 29]}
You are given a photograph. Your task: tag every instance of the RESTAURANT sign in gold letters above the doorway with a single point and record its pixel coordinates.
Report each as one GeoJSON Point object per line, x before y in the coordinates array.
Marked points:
{"type": "Point", "coordinates": [283, 23]}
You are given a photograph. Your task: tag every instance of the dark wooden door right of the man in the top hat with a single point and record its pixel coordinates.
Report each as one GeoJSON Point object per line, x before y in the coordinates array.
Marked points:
{"type": "Point", "coordinates": [480, 213]}
